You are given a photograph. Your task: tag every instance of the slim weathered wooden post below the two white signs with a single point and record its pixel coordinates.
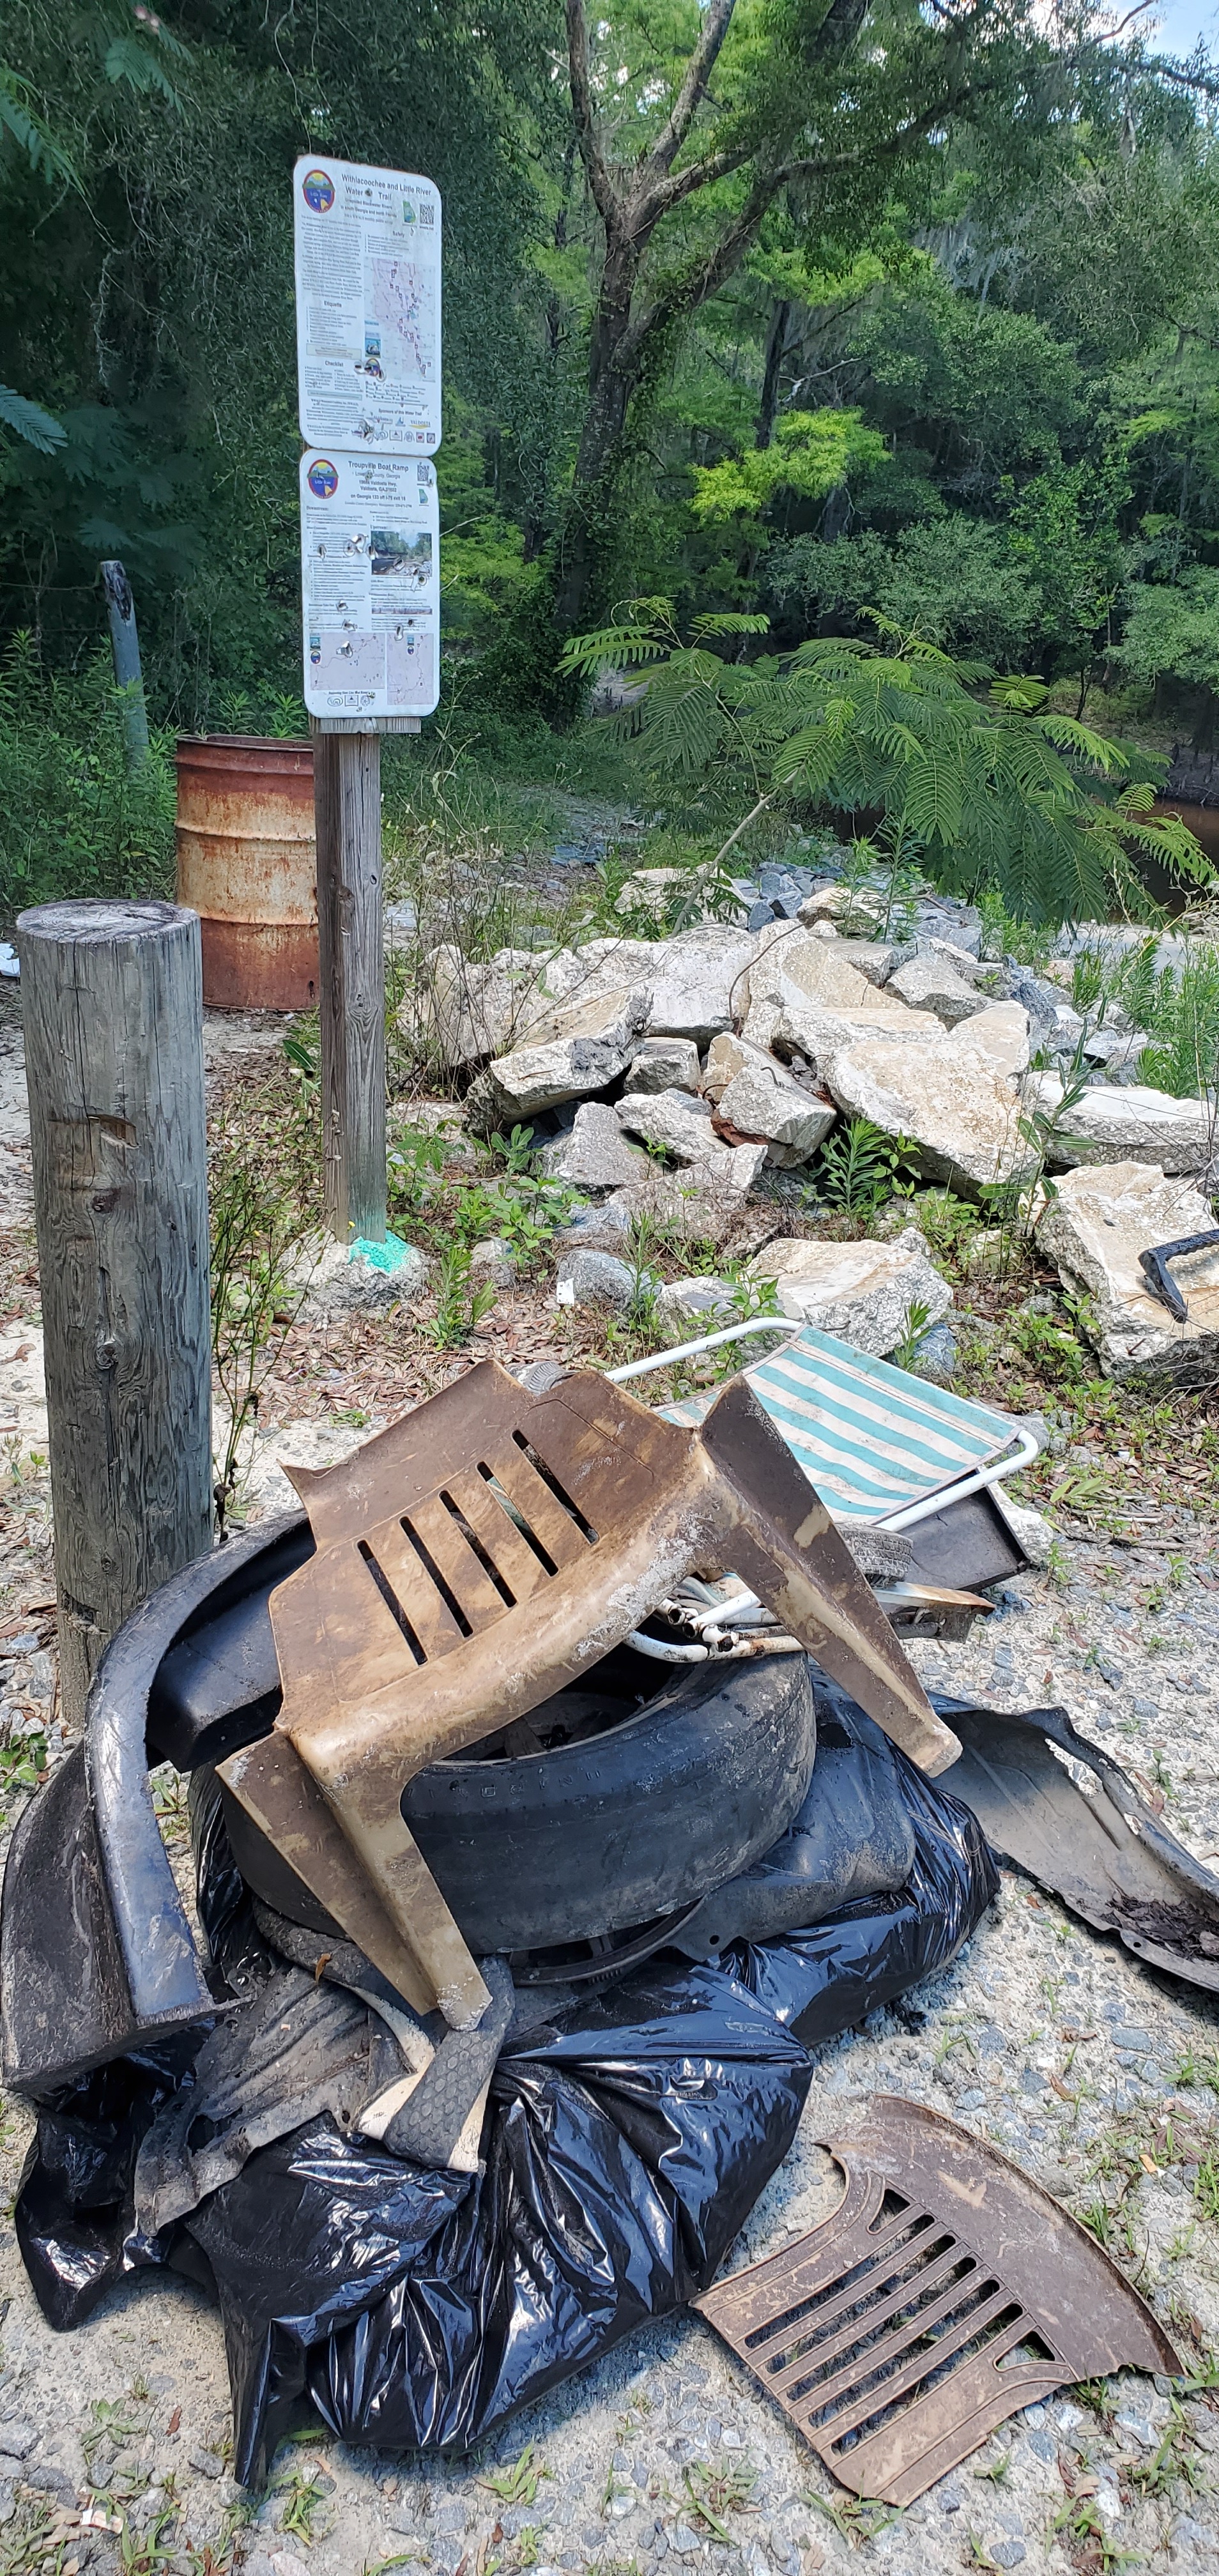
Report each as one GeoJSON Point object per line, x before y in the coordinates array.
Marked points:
{"type": "Point", "coordinates": [352, 980]}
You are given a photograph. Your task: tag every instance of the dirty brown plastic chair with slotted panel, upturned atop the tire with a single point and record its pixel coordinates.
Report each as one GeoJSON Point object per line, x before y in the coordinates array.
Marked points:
{"type": "Point", "coordinates": [475, 1560]}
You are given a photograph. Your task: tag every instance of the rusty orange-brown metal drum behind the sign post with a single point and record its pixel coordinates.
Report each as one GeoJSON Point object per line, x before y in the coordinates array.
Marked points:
{"type": "Point", "coordinates": [246, 864]}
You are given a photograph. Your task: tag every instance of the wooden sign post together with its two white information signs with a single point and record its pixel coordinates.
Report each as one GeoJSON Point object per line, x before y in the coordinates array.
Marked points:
{"type": "Point", "coordinates": [370, 411]}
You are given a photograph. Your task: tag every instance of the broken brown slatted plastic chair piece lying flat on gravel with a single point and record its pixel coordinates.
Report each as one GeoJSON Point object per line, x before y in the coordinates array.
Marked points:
{"type": "Point", "coordinates": [945, 2294]}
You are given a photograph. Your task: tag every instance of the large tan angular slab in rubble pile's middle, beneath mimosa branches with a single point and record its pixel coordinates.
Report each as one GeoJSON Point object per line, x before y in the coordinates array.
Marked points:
{"type": "Point", "coordinates": [947, 1099]}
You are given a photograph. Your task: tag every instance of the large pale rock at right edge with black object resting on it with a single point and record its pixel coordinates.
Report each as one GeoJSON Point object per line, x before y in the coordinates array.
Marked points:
{"type": "Point", "coordinates": [1094, 1230]}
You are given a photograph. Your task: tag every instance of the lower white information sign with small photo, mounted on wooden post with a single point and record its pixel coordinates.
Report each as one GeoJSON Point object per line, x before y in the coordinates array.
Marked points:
{"type": "Point", "coordinates": [372, 586]}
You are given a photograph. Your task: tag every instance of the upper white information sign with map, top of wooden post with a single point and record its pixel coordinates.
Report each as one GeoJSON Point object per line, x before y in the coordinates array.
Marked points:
{"type": "Point", "coordinates": [367, 308]}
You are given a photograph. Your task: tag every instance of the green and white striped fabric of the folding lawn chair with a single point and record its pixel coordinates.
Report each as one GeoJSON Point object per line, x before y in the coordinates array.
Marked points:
{"type": "Point", "coordinates": [870, 1436]}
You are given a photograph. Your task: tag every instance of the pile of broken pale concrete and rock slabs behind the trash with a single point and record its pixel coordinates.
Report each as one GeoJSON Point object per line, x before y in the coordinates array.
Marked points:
{"type": "Point", "coordinates": [674, 1070]}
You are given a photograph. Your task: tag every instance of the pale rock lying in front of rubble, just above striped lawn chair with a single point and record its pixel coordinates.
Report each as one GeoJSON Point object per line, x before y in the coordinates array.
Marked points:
{"type": "Point", "coordinates": [859, 1292]}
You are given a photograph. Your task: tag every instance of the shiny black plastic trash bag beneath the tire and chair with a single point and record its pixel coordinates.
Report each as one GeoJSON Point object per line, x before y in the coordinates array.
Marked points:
{"type": "Point", "coordinates": [625, 2147]}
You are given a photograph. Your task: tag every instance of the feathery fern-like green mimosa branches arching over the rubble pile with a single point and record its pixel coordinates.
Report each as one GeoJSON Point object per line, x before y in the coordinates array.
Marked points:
{"type": "Point", "coordinates": [991, 792]}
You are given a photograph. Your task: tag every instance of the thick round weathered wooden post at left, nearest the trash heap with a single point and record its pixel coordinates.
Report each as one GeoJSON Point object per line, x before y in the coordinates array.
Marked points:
{"type": "Point", "coordinates": [115, 1063]}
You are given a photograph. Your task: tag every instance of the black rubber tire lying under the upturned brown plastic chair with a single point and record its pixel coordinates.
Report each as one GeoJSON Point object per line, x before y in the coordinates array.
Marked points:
{"type": "Point", "coordinates": [620, 1828]}
